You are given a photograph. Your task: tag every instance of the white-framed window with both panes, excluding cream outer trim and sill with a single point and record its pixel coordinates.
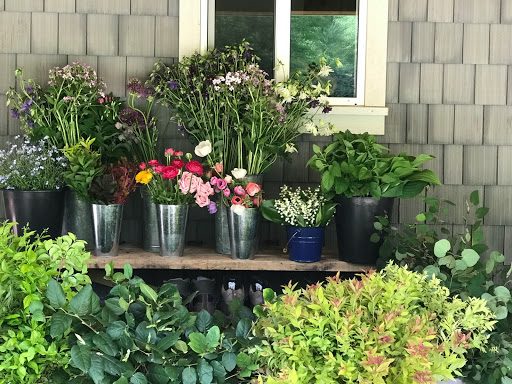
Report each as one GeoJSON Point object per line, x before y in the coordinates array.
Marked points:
{"type": "Point", "coordinates": [297, 32]}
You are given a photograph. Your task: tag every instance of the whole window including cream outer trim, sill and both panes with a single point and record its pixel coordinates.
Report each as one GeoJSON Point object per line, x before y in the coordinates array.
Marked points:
{"type": "Point", "coordinates": [288, 31]}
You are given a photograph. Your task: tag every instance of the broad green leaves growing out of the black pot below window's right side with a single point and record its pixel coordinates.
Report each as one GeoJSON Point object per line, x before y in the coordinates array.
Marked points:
{"type": "Point", "coordinates": [356, 165]}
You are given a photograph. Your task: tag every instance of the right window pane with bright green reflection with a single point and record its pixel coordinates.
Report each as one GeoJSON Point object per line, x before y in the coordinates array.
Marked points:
{"type": "Point", "coordinates": [327, 29]}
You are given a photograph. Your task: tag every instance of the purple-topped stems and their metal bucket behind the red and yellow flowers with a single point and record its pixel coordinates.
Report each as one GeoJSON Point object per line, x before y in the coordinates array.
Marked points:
{"type": "Point", "coordinates": [137, 121]}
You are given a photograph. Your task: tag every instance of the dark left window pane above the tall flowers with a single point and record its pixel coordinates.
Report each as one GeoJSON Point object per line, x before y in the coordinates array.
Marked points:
{"type": "Point", "coordinates": [250, 20]}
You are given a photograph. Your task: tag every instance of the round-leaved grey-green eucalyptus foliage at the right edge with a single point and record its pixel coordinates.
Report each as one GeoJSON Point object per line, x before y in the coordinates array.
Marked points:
{"type": "Point", "coordinates": [461, 262]}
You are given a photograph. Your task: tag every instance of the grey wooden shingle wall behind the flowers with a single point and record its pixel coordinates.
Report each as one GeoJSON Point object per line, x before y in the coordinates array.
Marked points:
{"type": "Point", "coordinates": [449, 89]}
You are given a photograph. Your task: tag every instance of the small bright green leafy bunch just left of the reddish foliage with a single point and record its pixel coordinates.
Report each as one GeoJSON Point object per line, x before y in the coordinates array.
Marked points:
{"type": "Point", "coordinates": [84, 166]}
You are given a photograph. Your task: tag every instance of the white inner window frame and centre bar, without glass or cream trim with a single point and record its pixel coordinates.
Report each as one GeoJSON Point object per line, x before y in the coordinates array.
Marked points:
{"type": "Point", "coordinates": [282, 44]}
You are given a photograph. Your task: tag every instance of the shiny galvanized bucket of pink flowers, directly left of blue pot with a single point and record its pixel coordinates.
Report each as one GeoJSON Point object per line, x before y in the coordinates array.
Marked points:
{"type": "Point", "coordinates": [244, 232]}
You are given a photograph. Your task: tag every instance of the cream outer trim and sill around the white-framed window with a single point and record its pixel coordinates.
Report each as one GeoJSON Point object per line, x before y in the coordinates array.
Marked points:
{"type": "Point", "coordinates": [367, 116]}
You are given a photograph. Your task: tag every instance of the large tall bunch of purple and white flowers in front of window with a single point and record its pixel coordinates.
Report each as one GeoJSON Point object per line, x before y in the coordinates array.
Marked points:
{"type": "Point", "coordinates": [225, 98]}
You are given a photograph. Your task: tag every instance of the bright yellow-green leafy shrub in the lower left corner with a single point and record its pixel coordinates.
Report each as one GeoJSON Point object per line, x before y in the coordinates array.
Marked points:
{"type": "Point", "coordinates": [28, 266]}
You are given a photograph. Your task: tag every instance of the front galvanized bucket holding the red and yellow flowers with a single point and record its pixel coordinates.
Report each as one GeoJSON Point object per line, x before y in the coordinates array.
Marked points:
{"type": "Point", "coordinates": [172, 227]}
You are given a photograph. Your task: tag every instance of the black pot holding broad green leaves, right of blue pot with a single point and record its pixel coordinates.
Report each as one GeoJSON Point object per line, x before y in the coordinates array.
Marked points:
{"type": "Point", "coordinates": [354, 226]}
